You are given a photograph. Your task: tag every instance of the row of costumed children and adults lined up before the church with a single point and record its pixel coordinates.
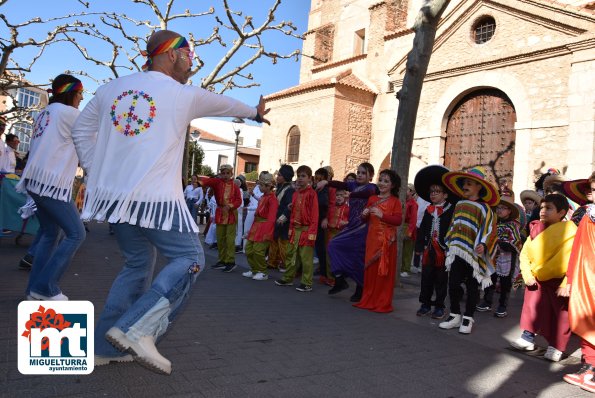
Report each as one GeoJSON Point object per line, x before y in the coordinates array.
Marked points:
{"type": "Point", "coordinates": [469, 237]}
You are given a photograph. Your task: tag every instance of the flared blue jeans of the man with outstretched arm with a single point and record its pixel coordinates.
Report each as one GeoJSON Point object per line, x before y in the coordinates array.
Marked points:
{"type": "Point", "coordinates": [137, 304]}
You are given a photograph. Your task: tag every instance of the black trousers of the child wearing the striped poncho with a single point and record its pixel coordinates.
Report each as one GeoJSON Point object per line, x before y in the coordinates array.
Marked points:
{"type": "Point", "coordinates": [462, 272]}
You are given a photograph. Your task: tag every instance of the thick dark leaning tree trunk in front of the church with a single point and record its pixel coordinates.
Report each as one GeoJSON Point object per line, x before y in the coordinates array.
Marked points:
{"type": "Point", "coordinates": [417, 65]}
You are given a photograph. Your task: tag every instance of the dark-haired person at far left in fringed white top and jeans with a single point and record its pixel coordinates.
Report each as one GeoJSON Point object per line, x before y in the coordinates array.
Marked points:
{"type": "Point", "coordinates": [48, 179]}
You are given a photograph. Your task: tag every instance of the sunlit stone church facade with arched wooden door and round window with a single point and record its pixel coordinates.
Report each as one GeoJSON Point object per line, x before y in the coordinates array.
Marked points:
{"type": "Point", "coordinates": [510, 86]}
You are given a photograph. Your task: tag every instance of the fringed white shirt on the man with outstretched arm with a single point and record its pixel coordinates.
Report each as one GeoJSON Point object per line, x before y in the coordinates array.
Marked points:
{"type": "Point", "coordinates": [130, 138]}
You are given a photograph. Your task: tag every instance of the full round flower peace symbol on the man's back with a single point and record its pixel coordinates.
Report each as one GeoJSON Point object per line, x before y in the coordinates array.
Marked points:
{"type": "Point", "coordinates": [125, 120]}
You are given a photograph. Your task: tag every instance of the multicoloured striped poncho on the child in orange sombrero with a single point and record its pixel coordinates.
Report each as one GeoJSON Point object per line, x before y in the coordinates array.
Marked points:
{"type": "Point", "coordinates": [473, 223]}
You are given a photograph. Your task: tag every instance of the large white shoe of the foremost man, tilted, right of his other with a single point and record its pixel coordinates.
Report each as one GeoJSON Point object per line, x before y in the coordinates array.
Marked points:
{"type": "Point", "coordinates": [143, 350]}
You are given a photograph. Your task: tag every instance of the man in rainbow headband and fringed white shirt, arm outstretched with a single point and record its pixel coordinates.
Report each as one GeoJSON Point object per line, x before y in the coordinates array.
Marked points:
{"type": "Point", "coordinates": [130, 138]}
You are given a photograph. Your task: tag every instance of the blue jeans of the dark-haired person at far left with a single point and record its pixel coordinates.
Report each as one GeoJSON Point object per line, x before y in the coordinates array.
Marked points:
{"type": "Point", "coordinates": [52, 258]}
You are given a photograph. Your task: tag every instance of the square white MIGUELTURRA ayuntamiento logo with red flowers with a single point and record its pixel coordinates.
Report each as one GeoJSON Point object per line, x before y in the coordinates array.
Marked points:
{"type": "Point", "coordinates": [56, 337]}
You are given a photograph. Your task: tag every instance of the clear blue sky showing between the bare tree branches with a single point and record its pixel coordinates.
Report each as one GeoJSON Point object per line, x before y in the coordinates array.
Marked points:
{"type": "Point", "coordinates": [64, 56]}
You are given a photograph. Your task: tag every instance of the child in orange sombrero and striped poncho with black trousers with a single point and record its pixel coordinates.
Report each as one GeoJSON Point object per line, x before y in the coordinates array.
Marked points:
{"type": "Point", "coordinates": [471, 243]}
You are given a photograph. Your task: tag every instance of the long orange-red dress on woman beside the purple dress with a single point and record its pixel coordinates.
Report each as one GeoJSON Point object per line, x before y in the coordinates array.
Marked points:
{"type": "Point", "coordinates": [381, 255]}
